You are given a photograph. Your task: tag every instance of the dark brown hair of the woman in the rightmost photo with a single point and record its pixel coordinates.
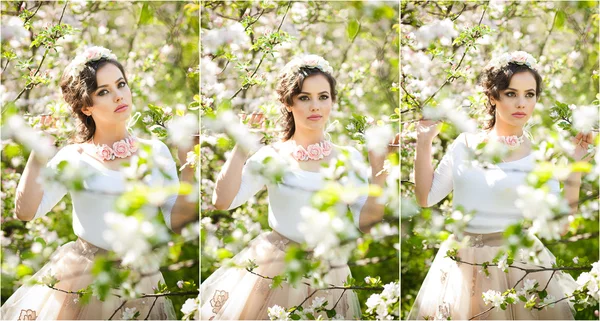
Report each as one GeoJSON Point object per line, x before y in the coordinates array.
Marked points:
{"type": "Point", "coordinates": [496, 80]}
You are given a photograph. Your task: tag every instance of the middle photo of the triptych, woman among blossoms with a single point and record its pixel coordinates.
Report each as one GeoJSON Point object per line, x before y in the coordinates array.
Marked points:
{"type": "Point", "coordinates": [299, 160]}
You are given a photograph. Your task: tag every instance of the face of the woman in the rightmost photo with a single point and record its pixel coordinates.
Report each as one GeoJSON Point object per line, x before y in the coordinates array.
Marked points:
{"type": "Point", "coordinates": [515, 104]}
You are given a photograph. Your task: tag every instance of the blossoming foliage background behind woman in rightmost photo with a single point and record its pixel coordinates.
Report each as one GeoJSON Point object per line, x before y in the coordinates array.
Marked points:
{"type": "Point", "coordinates": [442, 61]}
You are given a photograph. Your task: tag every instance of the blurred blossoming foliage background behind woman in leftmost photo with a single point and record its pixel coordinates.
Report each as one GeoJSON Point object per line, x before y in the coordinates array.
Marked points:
{"type": "Point", "coordinates": [157, 43]}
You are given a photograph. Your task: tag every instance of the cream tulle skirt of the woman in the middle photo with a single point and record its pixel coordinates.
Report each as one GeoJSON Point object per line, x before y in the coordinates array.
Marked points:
{"type": "Point", "coordinates": [235, 294]}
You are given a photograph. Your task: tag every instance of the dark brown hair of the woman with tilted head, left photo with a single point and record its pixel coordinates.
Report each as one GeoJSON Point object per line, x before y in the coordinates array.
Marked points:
{"type": "Point", "coordinates": [78, 94]}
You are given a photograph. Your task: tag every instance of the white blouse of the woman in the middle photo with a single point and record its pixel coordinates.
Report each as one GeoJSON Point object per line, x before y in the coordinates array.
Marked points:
{"type": "Point", "coordinates": [287, 198]}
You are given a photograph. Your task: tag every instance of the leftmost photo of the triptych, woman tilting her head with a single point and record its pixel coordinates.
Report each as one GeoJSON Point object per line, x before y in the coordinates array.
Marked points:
{"type": "Point", "coordinates": [99, 163]}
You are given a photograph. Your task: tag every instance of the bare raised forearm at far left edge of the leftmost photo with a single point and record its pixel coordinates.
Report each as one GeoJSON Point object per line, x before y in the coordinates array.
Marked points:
{"type": "Point", "coordinates": [29, 192]}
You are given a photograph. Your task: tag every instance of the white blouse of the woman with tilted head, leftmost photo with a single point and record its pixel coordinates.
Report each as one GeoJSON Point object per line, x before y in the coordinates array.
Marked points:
{"type": "Point", "coordinates": [103, 187]}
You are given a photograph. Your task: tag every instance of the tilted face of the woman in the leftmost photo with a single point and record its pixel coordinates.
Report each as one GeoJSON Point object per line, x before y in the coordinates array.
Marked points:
{"type": "Point", "coordinates": [112, 99]}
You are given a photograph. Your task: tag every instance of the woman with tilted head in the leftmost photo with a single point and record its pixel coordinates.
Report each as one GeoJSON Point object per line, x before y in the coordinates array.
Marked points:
{"type": "Point", "coordinates": [96, 88]}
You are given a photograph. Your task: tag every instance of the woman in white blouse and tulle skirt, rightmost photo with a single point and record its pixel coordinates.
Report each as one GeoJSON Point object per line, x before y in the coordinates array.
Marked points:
{"type": "Point", "coordinates": [450, 290]}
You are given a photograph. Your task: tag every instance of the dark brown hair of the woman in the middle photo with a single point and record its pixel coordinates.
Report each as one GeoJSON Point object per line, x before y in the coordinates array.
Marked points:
{"type": "Point", "coordinates": [289, 86]}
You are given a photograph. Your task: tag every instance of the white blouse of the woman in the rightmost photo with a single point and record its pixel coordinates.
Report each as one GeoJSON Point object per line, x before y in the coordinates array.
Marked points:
{"type": "Point", "coordinates": [489, 192]}
